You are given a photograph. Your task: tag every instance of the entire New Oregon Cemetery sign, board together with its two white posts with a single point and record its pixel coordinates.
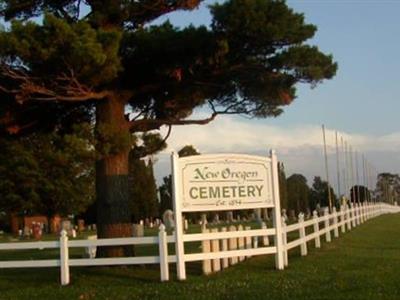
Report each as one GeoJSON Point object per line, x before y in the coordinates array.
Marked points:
{"type": "Point", "coordinates": [224, 182]}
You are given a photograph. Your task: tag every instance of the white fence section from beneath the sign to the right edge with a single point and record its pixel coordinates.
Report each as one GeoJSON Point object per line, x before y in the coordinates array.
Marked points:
{"type": "Point", "coordinates": [238, 244]}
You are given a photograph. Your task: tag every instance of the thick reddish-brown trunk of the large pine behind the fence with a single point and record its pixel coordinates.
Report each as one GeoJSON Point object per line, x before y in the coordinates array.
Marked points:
{"type": "Point", "coordinates": [113, 212]}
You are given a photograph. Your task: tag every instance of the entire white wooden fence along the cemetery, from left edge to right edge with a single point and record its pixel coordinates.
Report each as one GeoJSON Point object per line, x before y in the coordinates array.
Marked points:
{"type": "Point", "coordinates": [224, 248]}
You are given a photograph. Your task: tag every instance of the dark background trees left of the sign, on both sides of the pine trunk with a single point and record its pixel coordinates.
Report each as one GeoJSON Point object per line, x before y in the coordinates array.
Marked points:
{"type": "Point", "coordinates": [53, 173]}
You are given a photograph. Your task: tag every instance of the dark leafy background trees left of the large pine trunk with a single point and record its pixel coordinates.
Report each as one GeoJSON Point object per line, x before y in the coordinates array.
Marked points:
{"type": "Point", "coordinates": [48, 173]}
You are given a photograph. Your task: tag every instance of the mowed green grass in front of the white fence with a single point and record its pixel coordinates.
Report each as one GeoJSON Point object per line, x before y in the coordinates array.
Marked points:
{"type": "Point", "coordinates": [361, 264]}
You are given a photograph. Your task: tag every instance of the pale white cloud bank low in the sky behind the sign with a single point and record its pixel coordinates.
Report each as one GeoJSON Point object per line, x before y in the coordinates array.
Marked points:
{"type": "Point", "coordinates": [300, 148]}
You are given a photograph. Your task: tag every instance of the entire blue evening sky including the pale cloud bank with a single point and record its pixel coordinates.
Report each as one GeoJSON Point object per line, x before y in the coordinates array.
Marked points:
{"type": "Point", "coordinates": [360, 102]}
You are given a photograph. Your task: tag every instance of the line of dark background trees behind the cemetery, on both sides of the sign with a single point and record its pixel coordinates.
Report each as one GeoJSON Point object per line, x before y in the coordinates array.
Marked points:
{"type": "Point", "coordinates": [53, 173]}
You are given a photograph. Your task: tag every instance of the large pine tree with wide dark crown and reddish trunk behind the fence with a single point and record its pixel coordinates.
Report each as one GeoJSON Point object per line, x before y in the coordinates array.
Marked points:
{"type": "Point", "coordinates": [131, 77]}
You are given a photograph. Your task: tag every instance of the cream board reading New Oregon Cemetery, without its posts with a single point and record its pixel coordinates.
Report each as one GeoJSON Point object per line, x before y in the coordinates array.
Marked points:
{"type": "Point", "coordinates": [225, 182]}
